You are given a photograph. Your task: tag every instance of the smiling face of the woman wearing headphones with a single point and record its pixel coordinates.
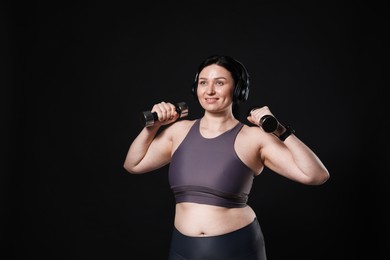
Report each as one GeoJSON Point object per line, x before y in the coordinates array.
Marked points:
{"type": "Point", "coordinates": [215, 88]}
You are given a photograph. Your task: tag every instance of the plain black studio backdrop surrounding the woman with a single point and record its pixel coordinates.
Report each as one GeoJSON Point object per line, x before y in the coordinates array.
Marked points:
{"type": "Point", "coordinates": [74, 78]}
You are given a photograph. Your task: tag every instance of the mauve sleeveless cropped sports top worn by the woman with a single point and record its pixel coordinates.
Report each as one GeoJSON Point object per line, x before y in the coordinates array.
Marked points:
{"type": "Point", "coordinates": [208, 170]}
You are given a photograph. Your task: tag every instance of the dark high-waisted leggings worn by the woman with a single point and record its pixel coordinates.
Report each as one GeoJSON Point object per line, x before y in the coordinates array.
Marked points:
{"type": "Point", "coordinates": [246, 243]}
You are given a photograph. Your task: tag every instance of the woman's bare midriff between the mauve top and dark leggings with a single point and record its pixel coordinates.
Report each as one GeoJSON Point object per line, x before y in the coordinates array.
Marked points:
{"type": "Point", "coordinates": [197, 220]}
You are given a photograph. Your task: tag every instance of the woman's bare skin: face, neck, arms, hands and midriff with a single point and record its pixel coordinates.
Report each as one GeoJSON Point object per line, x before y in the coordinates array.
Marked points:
{"type": "Point", "coordinates": [256, 148]}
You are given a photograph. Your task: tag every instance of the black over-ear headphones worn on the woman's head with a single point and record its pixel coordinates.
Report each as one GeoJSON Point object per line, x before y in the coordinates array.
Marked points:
{"type": "Point", "coordinates": [241, 91]}
